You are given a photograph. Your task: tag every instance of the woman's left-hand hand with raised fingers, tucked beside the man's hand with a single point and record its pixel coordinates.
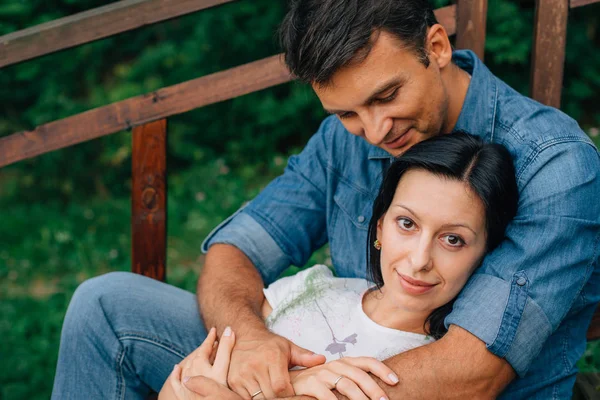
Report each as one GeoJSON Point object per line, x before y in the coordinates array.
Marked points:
{"type": "Point", "coordinates": [197, 368]}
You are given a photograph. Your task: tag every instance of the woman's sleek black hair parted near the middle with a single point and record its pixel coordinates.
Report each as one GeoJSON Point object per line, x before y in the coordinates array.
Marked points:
{"type": "Point", "coordinates": [488, 171]}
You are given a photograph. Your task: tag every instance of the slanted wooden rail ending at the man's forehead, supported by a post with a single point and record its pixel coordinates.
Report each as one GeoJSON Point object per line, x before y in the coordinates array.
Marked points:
{"type": "Point", "coordinates": [142, 109]}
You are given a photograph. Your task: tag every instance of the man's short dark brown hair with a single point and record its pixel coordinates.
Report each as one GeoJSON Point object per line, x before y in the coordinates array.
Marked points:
{"type": "Point", "coordinates": [321, 36]}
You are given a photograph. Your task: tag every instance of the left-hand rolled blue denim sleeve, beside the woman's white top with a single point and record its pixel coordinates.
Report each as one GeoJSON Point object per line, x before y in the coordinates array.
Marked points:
{"type": "Point", "coordinates": [286, 222]}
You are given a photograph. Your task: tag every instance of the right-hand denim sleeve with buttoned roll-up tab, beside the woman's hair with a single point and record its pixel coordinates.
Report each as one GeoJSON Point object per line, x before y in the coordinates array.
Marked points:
{"type": "Point", "coordinates": [526, 287]}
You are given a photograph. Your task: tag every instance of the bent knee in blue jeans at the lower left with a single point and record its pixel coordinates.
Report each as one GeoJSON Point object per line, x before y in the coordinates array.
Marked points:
{"type": "Point", "coordinates": [122, 335]}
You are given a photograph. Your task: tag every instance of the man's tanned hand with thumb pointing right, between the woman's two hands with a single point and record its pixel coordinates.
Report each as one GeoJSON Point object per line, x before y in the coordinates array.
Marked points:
{"type": "Point", "coordinates": [261, 360]}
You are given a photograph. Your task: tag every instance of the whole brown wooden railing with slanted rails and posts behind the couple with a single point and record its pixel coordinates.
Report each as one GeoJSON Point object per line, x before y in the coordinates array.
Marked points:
{"type": "Point", "coordinates": [147, 114]}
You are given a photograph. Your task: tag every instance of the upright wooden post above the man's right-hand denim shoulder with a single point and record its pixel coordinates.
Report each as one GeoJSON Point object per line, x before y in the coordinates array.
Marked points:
{"type": "Point", "coordinates": [548, 56]}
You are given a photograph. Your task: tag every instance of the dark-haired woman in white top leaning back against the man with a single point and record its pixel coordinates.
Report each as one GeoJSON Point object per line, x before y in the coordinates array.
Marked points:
{"type": "Point", "coordinates": [442, 206]}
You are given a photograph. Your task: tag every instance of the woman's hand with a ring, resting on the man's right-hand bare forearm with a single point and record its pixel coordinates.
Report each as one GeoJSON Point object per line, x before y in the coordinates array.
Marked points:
{"type": "Point", "coordinates": [348, 376]}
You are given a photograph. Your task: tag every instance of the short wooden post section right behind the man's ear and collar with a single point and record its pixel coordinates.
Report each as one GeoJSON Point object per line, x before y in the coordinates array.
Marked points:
{"type": "Point", "coordinates": [470, 25]}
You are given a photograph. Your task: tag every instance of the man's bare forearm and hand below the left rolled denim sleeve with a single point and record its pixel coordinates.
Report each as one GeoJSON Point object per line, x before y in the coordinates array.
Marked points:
{"type": "Point", "coordinates": [230, 294]}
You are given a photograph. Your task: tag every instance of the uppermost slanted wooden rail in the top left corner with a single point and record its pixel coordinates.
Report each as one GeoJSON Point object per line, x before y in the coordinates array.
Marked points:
{"type": "Point", "coordinates": [92, 25]}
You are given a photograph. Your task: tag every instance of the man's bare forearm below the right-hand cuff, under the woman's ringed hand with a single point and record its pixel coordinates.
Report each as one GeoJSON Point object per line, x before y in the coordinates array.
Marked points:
{"type": "Point", "coordinates": [458, 366]}
